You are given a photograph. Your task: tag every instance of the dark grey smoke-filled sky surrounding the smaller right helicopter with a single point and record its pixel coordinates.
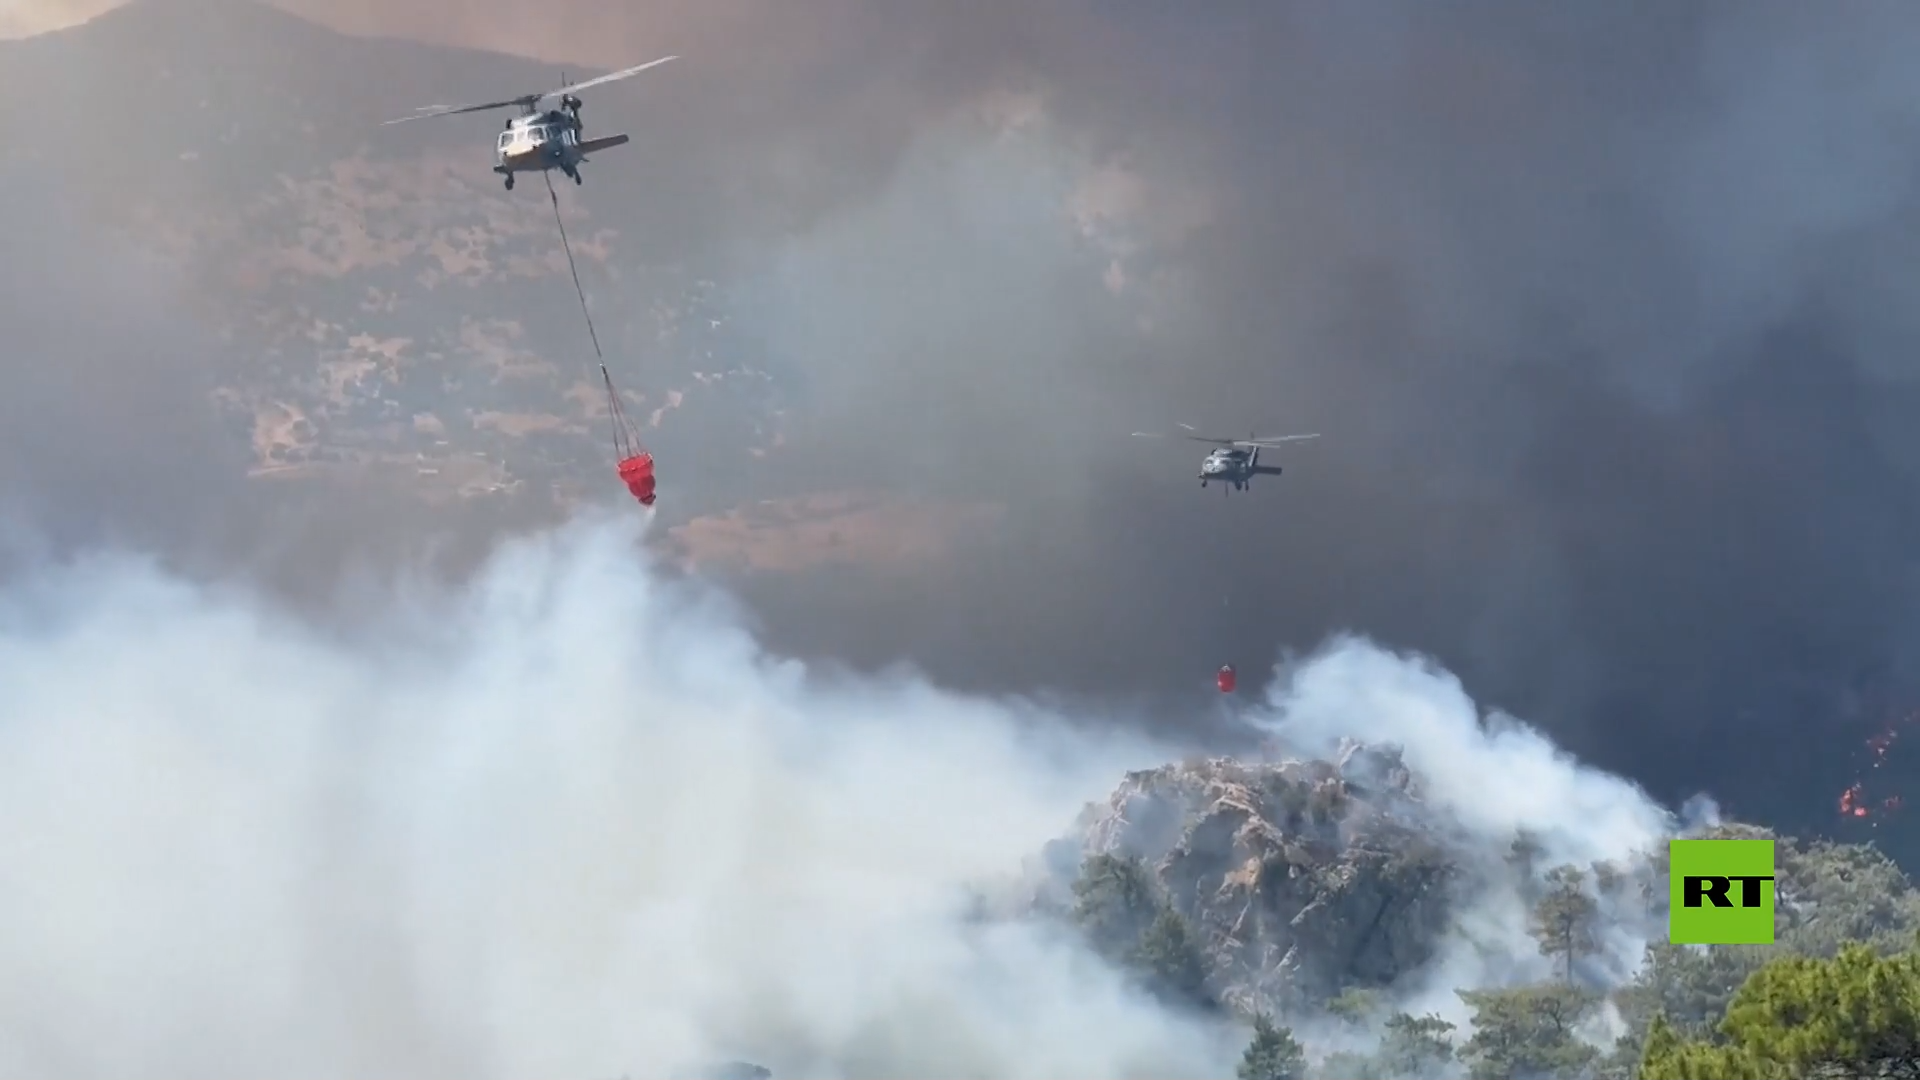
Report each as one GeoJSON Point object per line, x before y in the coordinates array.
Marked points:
{"type": "Point", "coordinates": [1602, 310]}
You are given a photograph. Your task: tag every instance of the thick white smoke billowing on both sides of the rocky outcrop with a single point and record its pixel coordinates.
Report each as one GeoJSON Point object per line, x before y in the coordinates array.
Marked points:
{"type": "Point", "coordinates": [577, 823]}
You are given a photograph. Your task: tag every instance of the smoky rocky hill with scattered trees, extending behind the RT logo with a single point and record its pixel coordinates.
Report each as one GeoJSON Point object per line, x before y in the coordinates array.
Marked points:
{"type": "Point", "coordinates": [1333, 896]}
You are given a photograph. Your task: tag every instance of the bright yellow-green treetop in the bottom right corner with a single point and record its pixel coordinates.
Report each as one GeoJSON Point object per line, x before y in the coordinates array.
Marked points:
{"type": "Point", "coordinates": [1798, 1014]}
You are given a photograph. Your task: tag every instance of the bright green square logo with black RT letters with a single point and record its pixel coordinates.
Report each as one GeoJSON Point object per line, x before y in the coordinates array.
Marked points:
{"type": "Point", "coordinates": [1721, 893]}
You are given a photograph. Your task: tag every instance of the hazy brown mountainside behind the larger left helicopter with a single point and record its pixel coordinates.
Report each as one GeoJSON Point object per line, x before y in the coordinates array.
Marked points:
{"type": "Point", "coordinates": [385, 301]}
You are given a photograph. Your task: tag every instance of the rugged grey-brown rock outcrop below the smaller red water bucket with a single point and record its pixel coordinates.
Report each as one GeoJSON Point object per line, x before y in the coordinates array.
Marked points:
{"type": "Point", "coordinates": [1301, 877]}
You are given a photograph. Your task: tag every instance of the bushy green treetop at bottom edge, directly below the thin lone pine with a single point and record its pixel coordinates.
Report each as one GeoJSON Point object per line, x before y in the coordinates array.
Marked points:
{"type": "Point", "coordinates": [1527, 1033]}
